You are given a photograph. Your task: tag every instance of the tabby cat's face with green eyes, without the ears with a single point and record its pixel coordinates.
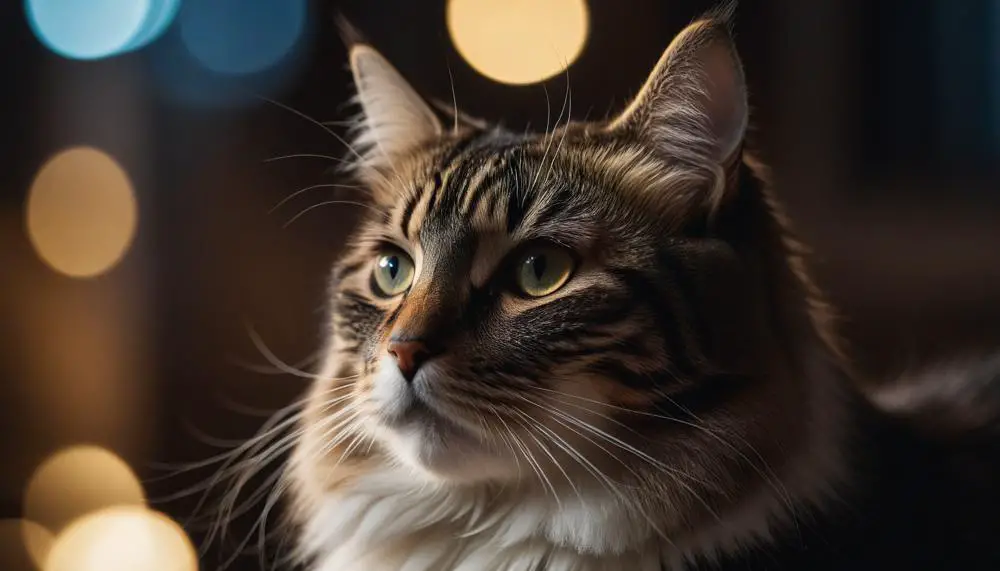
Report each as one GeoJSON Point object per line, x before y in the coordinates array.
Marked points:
{"type": "Point", "coordinates": [507, 292]}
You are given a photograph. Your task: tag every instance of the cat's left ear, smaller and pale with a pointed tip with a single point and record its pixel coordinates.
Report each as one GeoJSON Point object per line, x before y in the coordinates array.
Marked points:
{"type": "Point", "coordinates": [394, 119]}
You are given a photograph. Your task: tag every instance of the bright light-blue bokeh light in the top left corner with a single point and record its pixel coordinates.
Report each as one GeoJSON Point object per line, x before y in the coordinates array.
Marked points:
{"type": "Point", "coordinates": [98, 28]}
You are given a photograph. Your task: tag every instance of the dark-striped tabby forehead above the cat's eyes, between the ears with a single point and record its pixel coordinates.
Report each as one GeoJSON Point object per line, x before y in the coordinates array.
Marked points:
{"type": "Point", "coordinates": [515, 187]}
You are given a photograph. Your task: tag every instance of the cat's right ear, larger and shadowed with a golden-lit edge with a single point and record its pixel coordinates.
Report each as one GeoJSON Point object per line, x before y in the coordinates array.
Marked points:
{"type": "Point", "coordinates": [693, 106]}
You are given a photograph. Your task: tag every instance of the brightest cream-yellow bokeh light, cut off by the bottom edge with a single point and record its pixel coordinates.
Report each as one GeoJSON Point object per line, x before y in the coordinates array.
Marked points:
{"type": "Point", "coordinates": [123, 539]}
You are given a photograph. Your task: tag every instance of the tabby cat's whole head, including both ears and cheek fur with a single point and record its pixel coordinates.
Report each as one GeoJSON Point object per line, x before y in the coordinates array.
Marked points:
{"type": "Point", "coordinates": [606, 304]}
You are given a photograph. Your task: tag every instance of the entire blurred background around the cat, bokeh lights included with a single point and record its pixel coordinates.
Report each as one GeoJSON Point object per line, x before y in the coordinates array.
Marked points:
{"type": "Point", "coordinates": [153, 249]}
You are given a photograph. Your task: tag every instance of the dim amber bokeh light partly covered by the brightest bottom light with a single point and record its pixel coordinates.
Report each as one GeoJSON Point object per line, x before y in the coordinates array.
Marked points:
{"type": "Point", "coordinates": [78, 481]}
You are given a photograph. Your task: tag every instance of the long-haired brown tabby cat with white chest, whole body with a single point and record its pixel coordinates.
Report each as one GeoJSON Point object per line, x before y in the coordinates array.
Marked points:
{"type": "Point", "coordinates": [599, 348]}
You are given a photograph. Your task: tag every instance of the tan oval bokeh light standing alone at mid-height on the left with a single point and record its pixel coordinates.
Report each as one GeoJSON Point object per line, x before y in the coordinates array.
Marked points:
{"type": "Point", "coordinates": [82, 212]}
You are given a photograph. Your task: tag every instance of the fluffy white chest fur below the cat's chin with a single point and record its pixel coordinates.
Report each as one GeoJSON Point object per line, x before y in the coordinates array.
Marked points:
{"type": "Point", "coordinates": [382, 529]}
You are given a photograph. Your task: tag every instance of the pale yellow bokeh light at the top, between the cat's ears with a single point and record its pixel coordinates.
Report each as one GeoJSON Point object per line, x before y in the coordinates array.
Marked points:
{"type": "Point", "coordinates": [518, 41]}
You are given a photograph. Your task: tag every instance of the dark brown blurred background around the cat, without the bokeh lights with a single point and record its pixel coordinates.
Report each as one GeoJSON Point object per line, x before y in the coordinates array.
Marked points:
{"type": "Point", "coordinates": [881, 119]}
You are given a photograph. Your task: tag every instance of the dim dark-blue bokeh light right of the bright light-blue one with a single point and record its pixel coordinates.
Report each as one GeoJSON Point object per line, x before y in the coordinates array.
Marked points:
{"type": "Point", "coordinates": [228, 37]}
